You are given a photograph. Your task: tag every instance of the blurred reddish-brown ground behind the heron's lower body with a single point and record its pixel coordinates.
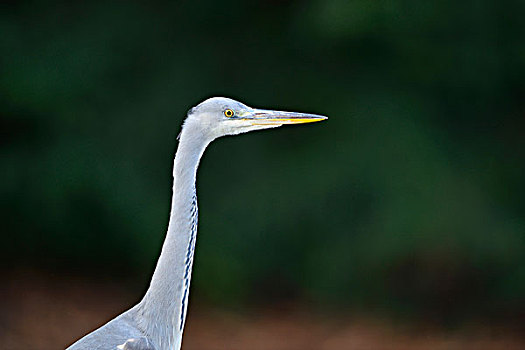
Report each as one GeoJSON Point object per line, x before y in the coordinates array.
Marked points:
{"type": "Point", "coordinates": [40, 311]}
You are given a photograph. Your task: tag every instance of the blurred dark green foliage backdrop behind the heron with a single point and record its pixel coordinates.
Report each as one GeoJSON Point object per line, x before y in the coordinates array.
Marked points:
{"type": "Point", "coordinates": [410, 198]}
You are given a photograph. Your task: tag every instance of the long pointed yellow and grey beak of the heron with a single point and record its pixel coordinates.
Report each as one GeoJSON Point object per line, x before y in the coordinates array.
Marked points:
{"type": "Point", "coordinates": [268, 117]}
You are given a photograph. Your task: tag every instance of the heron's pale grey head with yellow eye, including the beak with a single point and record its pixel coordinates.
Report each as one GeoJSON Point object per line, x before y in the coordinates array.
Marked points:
{"type": "Point", "coordinates": [220, 116]}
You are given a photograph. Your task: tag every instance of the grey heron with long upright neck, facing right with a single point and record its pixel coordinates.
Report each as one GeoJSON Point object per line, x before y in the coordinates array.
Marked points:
{"type": "Point", "coordinates": [157, 321]}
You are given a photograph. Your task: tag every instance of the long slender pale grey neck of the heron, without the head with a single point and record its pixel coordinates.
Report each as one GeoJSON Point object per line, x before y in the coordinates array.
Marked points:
{"type": "Point", "coordinates": [163, 309]}
